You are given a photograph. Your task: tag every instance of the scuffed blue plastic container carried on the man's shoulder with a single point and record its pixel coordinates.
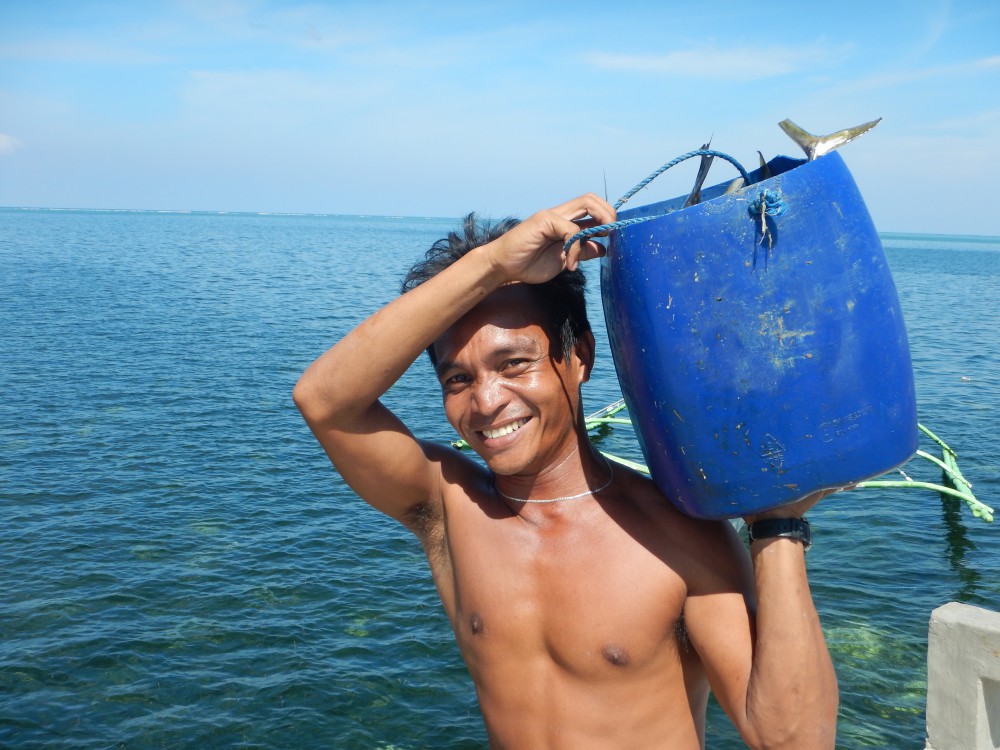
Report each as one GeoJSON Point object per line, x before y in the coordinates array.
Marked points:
{"type": "Point", "coordinates": [760, 367]}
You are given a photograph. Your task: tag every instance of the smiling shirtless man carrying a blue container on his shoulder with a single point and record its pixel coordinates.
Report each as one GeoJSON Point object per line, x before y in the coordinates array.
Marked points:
{"type": "Point", "coordinates": [590, 613]}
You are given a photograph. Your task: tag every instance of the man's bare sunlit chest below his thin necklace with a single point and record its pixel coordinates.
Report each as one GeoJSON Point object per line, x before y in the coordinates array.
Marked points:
{"type": "Point", "coordinates": [586, 596]}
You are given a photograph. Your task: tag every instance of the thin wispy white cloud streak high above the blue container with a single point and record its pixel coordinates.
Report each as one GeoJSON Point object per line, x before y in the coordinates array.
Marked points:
{"type": "Point", "coordinates": [737, 63]}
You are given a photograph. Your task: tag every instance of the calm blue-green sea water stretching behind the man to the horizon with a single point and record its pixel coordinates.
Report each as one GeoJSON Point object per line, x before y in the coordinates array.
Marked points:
{"type": "Point", "coordinates": [181, 567]}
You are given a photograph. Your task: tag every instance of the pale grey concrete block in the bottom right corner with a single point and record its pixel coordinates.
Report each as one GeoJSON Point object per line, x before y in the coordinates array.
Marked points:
{"type": "Point", "coordinates": [963, 679]}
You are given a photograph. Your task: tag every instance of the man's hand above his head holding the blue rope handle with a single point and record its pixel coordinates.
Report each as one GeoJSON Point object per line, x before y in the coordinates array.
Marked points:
{"type": "Point", "coordinates": [532, 252]}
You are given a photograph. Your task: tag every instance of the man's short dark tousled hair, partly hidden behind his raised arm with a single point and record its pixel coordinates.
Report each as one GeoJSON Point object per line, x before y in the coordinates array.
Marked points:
{"type": "Point", "coordinates": [561, 299]}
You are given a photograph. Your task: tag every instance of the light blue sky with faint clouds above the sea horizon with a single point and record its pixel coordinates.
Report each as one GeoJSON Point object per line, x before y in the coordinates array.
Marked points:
{"type": "Point", "coordinates": [441, 108]}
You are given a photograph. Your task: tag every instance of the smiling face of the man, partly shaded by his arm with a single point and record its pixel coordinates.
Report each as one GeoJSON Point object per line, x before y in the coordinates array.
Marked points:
{"type": "Point", "coordinates": [504, 391]}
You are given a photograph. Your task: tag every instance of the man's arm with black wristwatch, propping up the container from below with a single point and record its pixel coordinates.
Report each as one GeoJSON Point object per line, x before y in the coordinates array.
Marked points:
{"type": "Point", "coordinates": [770, 668]}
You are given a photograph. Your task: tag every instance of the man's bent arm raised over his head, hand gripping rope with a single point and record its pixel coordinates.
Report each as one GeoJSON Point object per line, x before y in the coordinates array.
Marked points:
{"type": "Point", "coordinates": [338, 395]}
